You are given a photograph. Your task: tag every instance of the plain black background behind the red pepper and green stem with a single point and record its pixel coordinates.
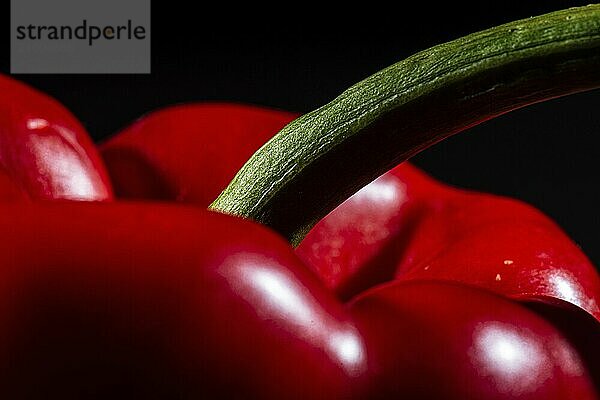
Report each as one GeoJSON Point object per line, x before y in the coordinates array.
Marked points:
{"type": "Point", "coordinates": [298, 56]}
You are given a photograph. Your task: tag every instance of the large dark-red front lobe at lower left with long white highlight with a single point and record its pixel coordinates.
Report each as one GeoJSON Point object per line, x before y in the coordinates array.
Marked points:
{"type": "Point", "coordinates": [158, 300]}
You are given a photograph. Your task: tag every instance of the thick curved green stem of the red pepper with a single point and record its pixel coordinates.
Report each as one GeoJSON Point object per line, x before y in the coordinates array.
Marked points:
{"type": "Point", "coordinates": [323, 157]}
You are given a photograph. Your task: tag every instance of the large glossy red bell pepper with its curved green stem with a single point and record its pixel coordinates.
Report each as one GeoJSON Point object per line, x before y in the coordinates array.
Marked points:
{"type": "Point", "coordinates": [170, 300]}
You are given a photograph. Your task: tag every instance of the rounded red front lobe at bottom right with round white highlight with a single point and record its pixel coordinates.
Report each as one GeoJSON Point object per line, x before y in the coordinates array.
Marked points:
{"type": "Point", "coordinates": [434, 340]}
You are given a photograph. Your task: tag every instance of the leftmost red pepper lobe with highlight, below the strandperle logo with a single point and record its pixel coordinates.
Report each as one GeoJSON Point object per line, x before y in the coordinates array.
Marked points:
{"type": "Point", "coordinates": [45, 150]}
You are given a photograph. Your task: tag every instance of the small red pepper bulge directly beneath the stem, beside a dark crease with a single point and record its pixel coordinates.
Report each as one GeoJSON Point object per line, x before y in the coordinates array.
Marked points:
{"type": "Point", "coordinates": [359, 243]}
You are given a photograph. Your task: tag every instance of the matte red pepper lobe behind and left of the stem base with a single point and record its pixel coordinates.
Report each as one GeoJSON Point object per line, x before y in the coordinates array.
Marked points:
{"type": "Point", "coordinates": [190, 152]}
